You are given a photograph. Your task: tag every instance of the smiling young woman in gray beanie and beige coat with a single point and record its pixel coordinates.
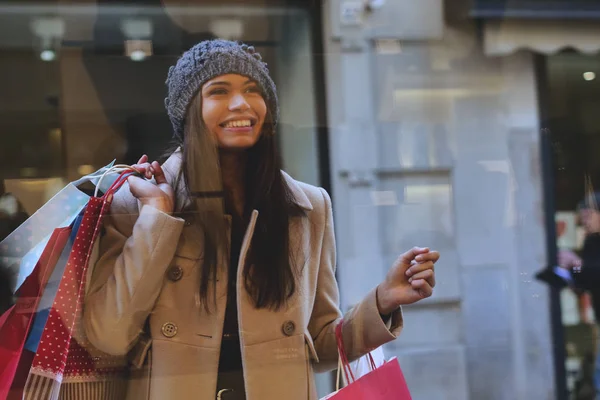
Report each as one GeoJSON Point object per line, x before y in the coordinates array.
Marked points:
{"type": "Point", "coordinates": [225, 261]}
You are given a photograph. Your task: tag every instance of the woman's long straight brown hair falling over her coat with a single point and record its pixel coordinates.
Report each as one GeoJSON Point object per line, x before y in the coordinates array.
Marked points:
{"type": "Point", "coordinates": [269, 276]}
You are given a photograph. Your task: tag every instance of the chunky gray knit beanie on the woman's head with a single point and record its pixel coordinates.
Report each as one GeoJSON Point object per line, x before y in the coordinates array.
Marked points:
{"type": "Point", "coordinates": [207, 60]}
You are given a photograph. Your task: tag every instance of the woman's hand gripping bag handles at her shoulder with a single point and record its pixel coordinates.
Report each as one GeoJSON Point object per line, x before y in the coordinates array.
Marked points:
{"type": "Point", "coordinates": [160, 195]}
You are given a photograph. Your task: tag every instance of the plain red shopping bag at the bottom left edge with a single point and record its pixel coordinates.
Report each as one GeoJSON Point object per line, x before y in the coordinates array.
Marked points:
{"type": "Point", "coordinates": [16, 322]}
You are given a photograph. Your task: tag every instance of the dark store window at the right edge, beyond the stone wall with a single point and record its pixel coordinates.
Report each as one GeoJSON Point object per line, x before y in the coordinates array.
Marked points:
{"type": "Point", "coordinates": [572, 98]}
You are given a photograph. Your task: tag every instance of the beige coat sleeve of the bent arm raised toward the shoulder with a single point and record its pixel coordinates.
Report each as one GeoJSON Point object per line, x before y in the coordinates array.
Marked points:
{"type": "Point", "coordinates": [135, 251]}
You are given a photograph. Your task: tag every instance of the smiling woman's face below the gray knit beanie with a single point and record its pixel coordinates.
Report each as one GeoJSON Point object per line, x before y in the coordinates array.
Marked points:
{"type": "Point", "coordinates": [233, 110]}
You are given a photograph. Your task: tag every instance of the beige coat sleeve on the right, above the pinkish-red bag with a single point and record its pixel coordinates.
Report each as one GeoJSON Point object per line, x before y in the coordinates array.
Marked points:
{"type": "Point", "coordinates": [364, 330]}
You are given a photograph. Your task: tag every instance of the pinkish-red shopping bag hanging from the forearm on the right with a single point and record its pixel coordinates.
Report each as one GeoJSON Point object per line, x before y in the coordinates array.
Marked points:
{"type": "Point", "coordinates": [383, 383]}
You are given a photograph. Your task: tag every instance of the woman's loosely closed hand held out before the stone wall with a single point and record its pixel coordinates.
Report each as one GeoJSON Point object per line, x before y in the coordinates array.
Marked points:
{"type": "Point", "coordinates": [410, 279]}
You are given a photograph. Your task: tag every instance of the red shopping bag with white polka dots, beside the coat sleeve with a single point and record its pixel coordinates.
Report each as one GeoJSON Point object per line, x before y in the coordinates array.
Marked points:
{"type": "Point", "coordinates": [63, 356]}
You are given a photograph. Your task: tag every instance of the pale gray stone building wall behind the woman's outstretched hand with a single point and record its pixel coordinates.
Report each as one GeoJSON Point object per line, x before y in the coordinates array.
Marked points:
{"type": "Point", "coordinates": [433, 144]}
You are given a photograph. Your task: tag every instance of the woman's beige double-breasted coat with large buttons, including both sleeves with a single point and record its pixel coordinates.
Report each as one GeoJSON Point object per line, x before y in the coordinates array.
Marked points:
{"type": "Point", "coordinates": [148, 271]}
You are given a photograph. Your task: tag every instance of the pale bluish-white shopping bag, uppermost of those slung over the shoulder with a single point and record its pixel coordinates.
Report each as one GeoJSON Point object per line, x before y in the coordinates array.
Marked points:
{"type": "Point", "coordinates": [22, 248]}
